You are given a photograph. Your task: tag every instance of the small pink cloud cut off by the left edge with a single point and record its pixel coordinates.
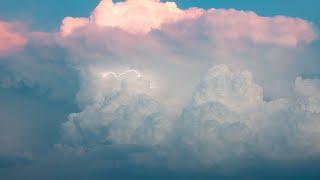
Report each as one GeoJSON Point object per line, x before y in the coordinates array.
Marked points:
{"type": "Point", "coordinates": [10, 40]}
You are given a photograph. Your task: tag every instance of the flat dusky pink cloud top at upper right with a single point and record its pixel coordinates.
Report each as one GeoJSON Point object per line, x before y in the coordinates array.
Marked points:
{"type": "Point", "coordinates": [235, 25]}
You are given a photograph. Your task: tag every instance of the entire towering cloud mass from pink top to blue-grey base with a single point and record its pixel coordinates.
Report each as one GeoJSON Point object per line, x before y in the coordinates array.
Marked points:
{"type": "Point", "coordinates": [150, 84]}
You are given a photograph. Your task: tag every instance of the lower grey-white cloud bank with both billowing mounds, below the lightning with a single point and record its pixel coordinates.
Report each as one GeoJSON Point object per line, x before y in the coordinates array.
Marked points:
{"type": "Point", "coordinates": [226, 120]}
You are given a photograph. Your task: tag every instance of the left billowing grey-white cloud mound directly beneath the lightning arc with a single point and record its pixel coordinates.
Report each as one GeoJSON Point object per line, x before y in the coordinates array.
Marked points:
{"type": "Point", "coordinates": [118, 110]}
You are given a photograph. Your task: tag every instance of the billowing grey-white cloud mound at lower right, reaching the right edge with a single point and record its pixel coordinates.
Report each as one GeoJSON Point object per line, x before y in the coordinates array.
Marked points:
{"type": "Point", "coordinates": [281, 129]}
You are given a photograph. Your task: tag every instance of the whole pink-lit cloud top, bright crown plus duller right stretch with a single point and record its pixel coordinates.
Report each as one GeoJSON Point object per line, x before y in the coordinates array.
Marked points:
{"type": "Point", "coordinates": [142, 16]}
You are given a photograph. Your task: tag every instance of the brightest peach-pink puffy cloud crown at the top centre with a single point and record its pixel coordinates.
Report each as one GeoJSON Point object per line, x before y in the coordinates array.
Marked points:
{"type": "Point", "coordinates": [135, 16]}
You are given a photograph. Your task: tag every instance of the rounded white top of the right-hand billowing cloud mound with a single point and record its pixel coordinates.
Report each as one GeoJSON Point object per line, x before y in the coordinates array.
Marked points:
{"type": "Point", "coordinates": [236, 91]}
